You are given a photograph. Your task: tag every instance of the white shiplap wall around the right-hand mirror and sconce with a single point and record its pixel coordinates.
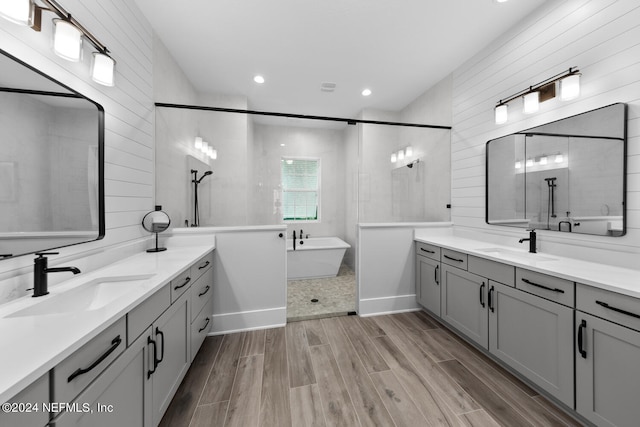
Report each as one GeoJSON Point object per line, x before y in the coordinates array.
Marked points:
{"type": "Point", "coordinates": [602, 38]}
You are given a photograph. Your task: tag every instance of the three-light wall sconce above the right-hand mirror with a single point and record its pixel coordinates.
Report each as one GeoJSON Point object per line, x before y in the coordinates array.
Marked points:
{"type": "Point", "coordinates": [543, 91]}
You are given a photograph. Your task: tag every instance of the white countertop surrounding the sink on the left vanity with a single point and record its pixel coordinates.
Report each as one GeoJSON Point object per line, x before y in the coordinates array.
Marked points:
{"type": "Point", "coordinates": [32, 345]}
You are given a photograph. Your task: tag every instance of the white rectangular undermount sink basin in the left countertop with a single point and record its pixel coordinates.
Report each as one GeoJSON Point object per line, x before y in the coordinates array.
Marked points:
{"type": "Point", "coordinates": [92, 295]}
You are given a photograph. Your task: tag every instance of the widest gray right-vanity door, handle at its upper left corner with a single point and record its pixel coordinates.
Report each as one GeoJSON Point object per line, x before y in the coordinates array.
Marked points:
{"type": "Point", "coordinates": [535, 337]}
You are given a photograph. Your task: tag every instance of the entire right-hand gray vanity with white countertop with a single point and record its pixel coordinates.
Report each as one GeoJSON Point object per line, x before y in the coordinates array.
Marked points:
{"type": "Point", "coordinates": [541, 315]}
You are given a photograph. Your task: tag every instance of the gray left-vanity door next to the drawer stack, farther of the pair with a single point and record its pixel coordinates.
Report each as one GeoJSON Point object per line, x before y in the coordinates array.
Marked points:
{"type": "Point", "coordinates": [171, 334]}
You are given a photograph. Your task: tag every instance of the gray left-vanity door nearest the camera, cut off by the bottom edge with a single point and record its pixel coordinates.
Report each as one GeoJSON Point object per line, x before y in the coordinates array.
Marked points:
{"type": "Point", "coordinates": [120, 396]}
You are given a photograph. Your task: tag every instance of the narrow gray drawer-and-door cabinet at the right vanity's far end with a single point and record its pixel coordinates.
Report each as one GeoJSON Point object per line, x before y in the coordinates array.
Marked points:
{"type": "Point", "coordinates": [428, 277]}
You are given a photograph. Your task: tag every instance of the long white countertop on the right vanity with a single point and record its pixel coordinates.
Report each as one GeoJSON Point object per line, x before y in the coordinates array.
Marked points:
{"type": "Point", "coordinates": [617, 279]}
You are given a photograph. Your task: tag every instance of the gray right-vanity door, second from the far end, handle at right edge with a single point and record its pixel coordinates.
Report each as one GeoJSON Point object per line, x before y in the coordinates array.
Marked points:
{"type": "Point", "coordinates": [464, 303]}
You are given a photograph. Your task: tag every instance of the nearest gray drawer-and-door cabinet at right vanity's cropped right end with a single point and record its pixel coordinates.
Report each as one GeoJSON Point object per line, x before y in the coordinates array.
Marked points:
{"type": "Point", "coordinates": [607, 357]}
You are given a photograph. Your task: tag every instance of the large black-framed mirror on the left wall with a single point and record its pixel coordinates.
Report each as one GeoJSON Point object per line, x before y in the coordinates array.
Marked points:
{"type": "Point", "coordinates": [51, 162]}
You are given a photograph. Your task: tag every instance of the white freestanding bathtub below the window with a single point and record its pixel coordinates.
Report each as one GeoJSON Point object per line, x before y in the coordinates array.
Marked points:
{"type": "Point", "coordinates": [315, 257]}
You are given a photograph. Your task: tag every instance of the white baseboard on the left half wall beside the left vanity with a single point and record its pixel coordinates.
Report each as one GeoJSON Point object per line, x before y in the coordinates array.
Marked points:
{"type": "Point", "coordinates": [228, 323]}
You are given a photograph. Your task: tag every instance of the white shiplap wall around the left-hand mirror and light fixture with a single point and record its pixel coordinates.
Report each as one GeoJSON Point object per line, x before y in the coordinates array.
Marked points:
{"type": "Point", "coordinates": [129, 110]}
